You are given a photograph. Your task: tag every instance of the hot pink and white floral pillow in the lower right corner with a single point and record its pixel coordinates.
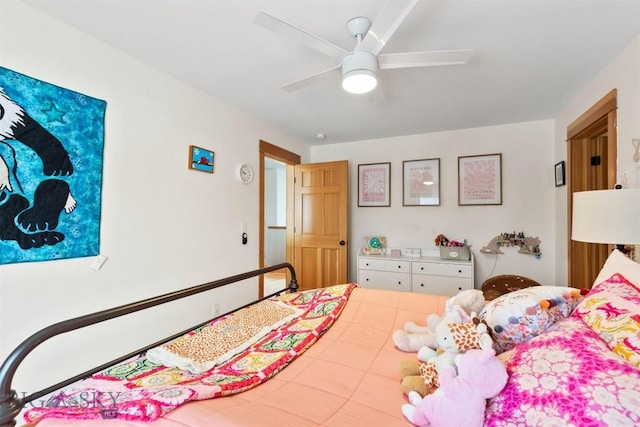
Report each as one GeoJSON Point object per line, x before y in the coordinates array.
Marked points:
{"type": "Point", "coordinates": [569, 376]}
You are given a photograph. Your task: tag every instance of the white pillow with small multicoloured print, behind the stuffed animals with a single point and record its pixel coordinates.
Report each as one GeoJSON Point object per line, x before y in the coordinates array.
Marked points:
{"type": "Point", "coordinates": [518, 316]}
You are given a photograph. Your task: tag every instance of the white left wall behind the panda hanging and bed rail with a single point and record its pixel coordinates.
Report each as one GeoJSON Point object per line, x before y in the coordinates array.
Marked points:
{"type": "Point", "coordinates": [163, 227]}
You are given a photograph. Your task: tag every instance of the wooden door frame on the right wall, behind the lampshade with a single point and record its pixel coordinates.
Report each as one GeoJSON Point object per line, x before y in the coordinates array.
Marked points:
{"type": "Point", "coordinates": [584, 127]}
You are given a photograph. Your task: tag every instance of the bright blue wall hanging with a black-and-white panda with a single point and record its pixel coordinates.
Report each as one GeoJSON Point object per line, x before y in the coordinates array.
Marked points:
{"type": "Point", "coordinates": [51, 146]}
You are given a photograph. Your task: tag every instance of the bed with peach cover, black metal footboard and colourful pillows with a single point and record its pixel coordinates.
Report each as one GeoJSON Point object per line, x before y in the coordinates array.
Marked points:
{"type": "Point", "coordinates": [575, 365]}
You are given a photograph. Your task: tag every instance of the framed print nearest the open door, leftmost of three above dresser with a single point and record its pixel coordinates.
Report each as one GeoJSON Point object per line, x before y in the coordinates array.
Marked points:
{"type": "Point", "coordinates": [374, 184]}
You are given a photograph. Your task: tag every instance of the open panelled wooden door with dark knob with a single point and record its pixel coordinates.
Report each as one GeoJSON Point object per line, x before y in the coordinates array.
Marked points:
{"type": "Point", "coordinates": [320, 230]}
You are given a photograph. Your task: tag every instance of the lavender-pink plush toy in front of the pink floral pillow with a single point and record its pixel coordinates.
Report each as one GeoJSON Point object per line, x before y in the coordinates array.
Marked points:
{"type": "Point", "coordinates": [461, 398]}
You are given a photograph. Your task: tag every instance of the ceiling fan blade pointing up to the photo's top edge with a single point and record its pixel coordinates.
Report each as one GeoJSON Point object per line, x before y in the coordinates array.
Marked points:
{"type": "Point", "coordinates": [386, 23]}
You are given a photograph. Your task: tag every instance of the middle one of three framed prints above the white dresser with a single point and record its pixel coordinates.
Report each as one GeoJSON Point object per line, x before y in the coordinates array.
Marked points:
{"type": "Point", "coordinates": [421, 182]}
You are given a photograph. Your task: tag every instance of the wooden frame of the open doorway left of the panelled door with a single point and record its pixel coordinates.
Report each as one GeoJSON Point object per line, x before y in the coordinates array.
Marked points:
{"type": "Point", "coordinates": [271, 151]}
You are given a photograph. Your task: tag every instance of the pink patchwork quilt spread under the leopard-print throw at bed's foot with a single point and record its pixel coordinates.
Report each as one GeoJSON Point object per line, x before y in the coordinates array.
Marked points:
{"type": "Point", "coordinates": [142, 390]}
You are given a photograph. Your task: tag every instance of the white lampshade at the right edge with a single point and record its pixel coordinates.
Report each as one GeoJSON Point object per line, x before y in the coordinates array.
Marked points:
{"type": "Point", "coordinates": [606, 216]}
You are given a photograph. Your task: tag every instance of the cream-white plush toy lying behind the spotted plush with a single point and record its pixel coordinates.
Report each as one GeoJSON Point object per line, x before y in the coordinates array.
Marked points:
{"type": "Point", "coordinates": [415, 337]}
